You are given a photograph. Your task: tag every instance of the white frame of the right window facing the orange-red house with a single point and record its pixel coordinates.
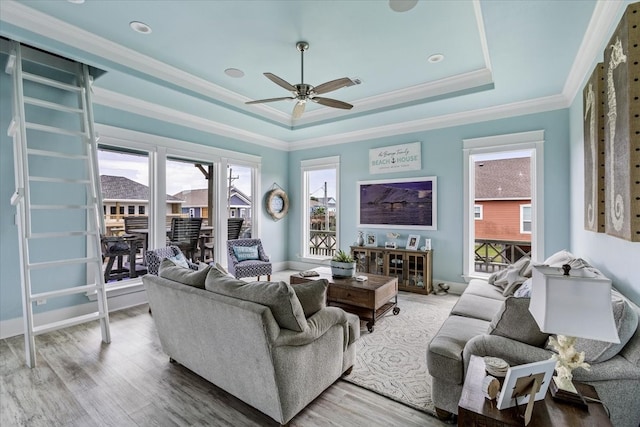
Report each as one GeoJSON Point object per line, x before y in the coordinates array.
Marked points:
{"type": "Point", "coordinates": [532, 141]}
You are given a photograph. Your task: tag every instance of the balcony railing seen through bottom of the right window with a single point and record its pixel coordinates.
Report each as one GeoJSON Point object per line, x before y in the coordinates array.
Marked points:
{"type": "Point", "coordinates": [493, 255]}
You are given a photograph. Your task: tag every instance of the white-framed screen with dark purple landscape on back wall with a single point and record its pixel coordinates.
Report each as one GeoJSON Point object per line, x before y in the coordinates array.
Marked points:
{"type": "Point", "coordinates": [398, 203]}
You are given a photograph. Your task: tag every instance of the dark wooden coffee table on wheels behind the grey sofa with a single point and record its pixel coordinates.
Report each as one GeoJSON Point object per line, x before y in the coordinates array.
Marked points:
{"type": "Point", "coordinates": [370, 299]}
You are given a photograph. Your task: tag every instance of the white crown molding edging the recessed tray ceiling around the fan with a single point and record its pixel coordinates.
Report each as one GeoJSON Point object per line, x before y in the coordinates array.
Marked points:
{"type": "Point", "coordinates": [55, 29]}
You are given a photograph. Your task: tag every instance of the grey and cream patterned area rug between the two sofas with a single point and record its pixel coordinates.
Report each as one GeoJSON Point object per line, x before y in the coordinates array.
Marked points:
{"type": "Point", "coordinates": [391, 361]}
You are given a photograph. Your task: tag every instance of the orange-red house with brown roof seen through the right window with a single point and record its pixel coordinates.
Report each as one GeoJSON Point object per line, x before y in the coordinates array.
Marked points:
{"type": "Point", "coordinates": [503, 199]}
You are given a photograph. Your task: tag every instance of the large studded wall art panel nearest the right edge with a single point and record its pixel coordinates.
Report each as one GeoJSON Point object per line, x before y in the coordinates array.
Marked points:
{"type": "Point", "coordinates": [622, 129]}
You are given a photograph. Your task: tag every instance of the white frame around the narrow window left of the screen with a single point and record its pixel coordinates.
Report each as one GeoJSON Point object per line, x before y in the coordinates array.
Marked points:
{"type": "Point", "coordinates": [323, 163]}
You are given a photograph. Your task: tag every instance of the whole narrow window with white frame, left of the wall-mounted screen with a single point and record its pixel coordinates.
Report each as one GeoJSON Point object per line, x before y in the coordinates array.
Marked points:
{"type": "Point", "coordinates": [320, 213]}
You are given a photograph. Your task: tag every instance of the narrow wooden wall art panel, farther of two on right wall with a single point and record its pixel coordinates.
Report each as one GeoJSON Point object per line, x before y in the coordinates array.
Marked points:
{"type": "Point", "coordinates": [593, 121]}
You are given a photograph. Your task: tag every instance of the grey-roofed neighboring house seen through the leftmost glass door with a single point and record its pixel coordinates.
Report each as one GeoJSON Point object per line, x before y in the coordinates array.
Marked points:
{"type": "Point", "coordinates": [122, 197]}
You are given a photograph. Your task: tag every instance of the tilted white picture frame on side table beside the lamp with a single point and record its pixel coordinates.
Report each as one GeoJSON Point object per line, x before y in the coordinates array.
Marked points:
{"type": "Point", "coordinates": [517, 376]}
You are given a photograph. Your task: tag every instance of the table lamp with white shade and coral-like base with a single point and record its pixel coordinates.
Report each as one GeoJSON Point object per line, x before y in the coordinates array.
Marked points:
{"type": "Point", "coordinates": [571, 304]}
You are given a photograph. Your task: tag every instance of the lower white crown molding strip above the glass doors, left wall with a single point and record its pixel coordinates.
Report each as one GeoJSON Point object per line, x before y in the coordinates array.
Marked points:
{"type": "Point", "coordinates": [154, 111]}
